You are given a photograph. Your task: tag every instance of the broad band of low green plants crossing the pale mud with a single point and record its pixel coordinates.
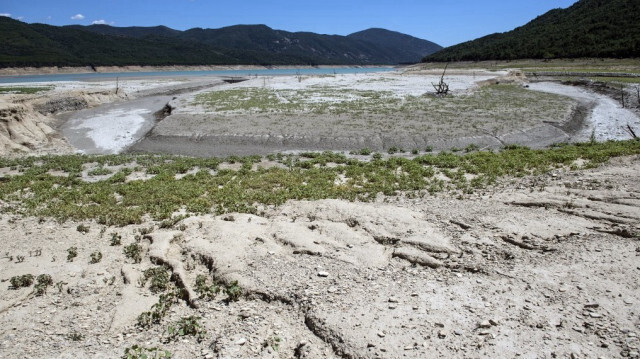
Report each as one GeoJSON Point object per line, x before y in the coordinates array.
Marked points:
{"type": "Point", "coordinates": [307, 176]}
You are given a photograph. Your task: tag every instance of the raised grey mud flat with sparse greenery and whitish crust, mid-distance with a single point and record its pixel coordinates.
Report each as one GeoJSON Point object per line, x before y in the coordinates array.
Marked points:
{"type": "Point", "coordinates": [351, 112]}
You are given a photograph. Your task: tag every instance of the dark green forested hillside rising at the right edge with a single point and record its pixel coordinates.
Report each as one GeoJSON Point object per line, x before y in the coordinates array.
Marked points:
{"type": "Point", "coordinates": [589, 28]}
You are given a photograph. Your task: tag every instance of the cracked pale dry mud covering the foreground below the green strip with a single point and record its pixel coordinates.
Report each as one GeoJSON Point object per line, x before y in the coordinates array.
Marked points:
{"type": "Point", "coordinates": [536, 267]}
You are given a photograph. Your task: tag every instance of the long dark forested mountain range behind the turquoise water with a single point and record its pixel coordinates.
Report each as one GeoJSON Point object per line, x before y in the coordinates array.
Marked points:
{"type": "Point", "coordinates": [101, 45]}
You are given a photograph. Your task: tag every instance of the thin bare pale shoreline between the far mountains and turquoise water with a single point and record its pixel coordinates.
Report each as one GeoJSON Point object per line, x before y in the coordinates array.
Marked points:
{"type": "Point", "coordinates": [13, 71]}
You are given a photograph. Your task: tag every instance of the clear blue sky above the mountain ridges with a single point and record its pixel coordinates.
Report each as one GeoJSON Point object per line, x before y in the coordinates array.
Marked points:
{"type": "Point", "coordinates": [446, 22]}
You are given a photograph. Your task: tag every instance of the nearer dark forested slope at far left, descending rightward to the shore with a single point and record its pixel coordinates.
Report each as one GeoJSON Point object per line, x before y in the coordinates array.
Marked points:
{"type": "Point", "coordinates": [44, 45]}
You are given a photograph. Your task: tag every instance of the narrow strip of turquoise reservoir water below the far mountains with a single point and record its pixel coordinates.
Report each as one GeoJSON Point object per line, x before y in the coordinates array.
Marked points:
{"type": "Point", "coordinates": [95, 76]}
